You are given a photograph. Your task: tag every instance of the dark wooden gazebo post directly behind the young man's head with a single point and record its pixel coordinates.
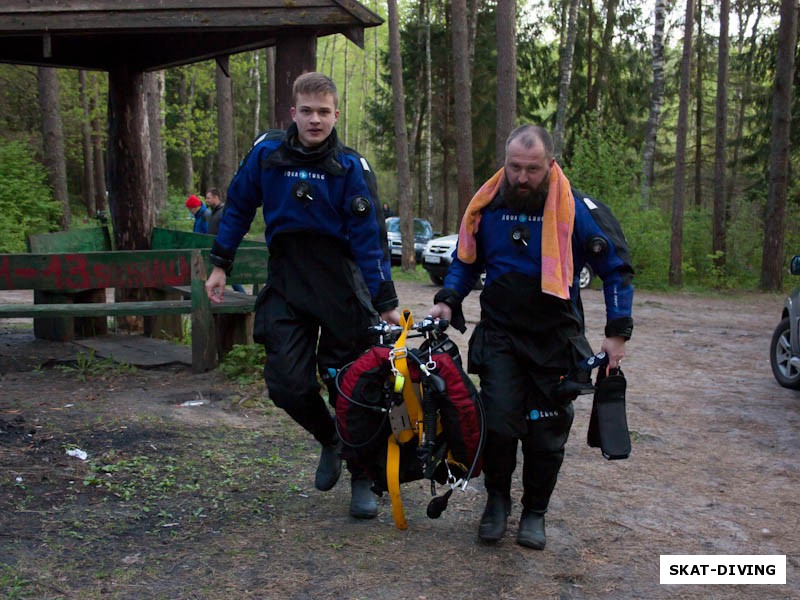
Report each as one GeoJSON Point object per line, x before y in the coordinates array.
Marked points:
{"type": "Point", "coordinates": [294, 55]}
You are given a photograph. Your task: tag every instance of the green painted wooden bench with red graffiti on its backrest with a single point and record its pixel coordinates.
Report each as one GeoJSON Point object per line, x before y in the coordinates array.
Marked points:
{"type": "Point", "coordinates": [58, 278]}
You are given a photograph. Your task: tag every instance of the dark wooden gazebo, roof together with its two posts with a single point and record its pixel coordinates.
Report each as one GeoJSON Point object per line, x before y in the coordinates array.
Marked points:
{"type": "Point", "coordinates": [128, 39]}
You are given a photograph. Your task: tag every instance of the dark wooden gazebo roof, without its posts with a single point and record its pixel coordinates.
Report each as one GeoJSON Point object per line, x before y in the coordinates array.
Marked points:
{"type": "Point", "coordinates": [155, 34]}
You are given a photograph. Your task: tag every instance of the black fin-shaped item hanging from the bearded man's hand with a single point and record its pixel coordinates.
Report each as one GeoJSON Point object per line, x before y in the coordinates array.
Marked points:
{"type": "Point", "coordinates": [608, 424]}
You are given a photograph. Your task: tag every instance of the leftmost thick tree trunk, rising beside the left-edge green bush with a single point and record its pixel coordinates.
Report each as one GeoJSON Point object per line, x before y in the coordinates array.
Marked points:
{"type": "Point", "coordinates": [53, 139]}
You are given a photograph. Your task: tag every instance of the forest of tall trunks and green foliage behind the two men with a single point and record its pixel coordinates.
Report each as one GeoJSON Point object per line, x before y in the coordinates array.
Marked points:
{"type": "Point", "coordinates": [665, 111]}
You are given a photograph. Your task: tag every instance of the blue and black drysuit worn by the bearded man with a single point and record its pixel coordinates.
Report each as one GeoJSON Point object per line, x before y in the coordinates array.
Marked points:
{"type": "Point", "coordinates": [526, 339]}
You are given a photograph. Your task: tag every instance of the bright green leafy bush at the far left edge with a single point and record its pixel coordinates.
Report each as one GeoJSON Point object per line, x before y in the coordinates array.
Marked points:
{"type": "Point", "coordinates": [26, 201]}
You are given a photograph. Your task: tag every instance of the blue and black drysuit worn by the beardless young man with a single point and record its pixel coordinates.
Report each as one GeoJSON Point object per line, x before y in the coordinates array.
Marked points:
{"type": "Point", "coordinates": [329, 274]}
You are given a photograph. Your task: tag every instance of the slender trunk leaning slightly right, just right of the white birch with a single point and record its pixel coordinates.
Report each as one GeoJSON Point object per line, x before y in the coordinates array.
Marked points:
{"type": "Point", "coordinates": [679, 184]}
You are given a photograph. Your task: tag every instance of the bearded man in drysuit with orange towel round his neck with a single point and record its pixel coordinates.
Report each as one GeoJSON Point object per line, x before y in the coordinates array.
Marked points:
{"type": "Point", "coordinates": [535, 234]}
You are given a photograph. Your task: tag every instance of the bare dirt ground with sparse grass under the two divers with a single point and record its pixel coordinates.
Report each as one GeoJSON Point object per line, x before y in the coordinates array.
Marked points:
{"type": "Point", "coordinates": [216, 500]}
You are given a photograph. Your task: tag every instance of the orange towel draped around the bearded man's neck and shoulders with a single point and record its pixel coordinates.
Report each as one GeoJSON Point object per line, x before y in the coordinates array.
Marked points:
{"type": "Point", "coordinates": [557, 225]}
